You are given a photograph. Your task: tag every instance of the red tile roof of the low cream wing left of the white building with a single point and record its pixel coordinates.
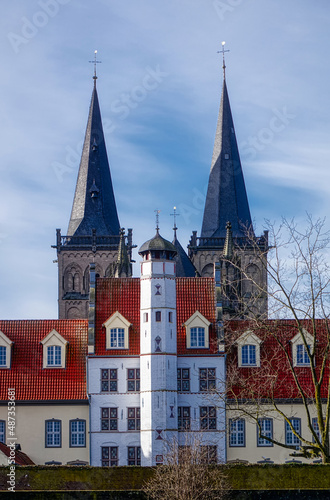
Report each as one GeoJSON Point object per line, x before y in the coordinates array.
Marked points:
{"type": "Point", "coordinates": [31, 381]}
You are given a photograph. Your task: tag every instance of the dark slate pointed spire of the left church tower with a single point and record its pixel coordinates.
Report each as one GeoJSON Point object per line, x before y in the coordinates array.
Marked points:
{"type": "Point", "coordinates": [94, 204]}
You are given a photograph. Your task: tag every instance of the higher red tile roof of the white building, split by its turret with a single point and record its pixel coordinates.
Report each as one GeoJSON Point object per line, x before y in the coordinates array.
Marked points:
{"type": "Point", "coordinates": [123, 295]}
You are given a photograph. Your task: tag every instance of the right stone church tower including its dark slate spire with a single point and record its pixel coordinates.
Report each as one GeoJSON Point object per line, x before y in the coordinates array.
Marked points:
{"type": "Point", "coordinates": [226, 223]}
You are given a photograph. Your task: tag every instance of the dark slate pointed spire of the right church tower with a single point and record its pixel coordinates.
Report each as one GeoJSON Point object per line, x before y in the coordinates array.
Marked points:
{"type": "Point", "coordinates": [226, 198]}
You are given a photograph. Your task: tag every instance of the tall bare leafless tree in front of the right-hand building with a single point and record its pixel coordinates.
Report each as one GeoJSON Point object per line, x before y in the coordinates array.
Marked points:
{"type": "Point", "coordinates": [298, 296]}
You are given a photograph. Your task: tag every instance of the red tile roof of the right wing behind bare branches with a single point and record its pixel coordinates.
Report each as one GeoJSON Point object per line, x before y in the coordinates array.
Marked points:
{"type": "Point", "coordinates": [273, 378]}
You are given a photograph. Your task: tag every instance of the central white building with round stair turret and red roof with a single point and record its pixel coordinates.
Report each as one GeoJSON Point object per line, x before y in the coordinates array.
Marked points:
{"type": "Point", "coordinates": [154, 365]}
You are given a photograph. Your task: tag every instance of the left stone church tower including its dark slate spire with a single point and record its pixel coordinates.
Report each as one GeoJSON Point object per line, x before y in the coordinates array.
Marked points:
{"type": "Point", "coordinates": [94, 234]}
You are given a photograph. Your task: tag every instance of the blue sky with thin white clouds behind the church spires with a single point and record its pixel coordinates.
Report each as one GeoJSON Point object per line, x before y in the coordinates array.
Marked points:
{"type": "Point", "coordinates": [159, 88]}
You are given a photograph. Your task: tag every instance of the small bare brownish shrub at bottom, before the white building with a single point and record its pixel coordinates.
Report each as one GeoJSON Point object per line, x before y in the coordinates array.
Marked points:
{"type": "Point", "coordinates": [187, 473]}
